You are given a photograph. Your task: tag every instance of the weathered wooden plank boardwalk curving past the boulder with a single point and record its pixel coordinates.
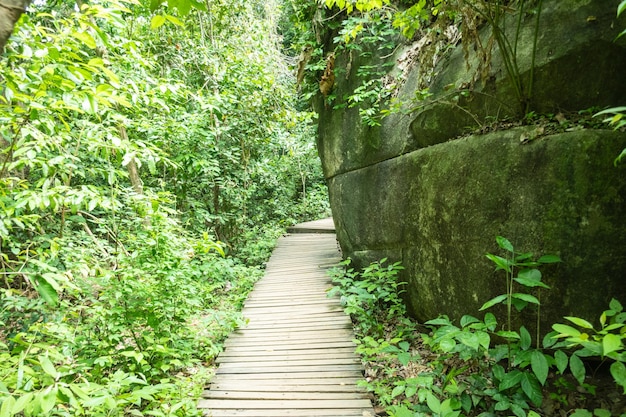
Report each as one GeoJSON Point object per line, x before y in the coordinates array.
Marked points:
{"type": "Point", "coordinates": [296, 356]}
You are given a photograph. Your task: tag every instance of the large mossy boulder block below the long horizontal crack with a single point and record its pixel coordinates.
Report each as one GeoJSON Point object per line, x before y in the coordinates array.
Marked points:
{"type": "Point", "coordinates": [439, 209]}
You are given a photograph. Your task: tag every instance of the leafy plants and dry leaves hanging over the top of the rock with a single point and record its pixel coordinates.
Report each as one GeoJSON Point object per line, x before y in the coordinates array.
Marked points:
{"type": "Point", "coordinates": [373, 27]}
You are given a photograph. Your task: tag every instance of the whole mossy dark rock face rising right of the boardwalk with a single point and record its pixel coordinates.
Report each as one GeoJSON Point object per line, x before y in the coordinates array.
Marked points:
{"type": "Point", "coordinates": [406, 190]}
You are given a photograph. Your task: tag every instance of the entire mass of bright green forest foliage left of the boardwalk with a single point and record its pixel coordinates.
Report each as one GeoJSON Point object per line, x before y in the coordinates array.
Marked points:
{"type": "Point", "coordinates": [145, 171]}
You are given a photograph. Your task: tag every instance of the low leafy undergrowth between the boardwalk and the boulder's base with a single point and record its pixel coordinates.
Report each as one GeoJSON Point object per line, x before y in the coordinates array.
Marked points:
{"type": "Point", "coordinates": [443, 368]}
